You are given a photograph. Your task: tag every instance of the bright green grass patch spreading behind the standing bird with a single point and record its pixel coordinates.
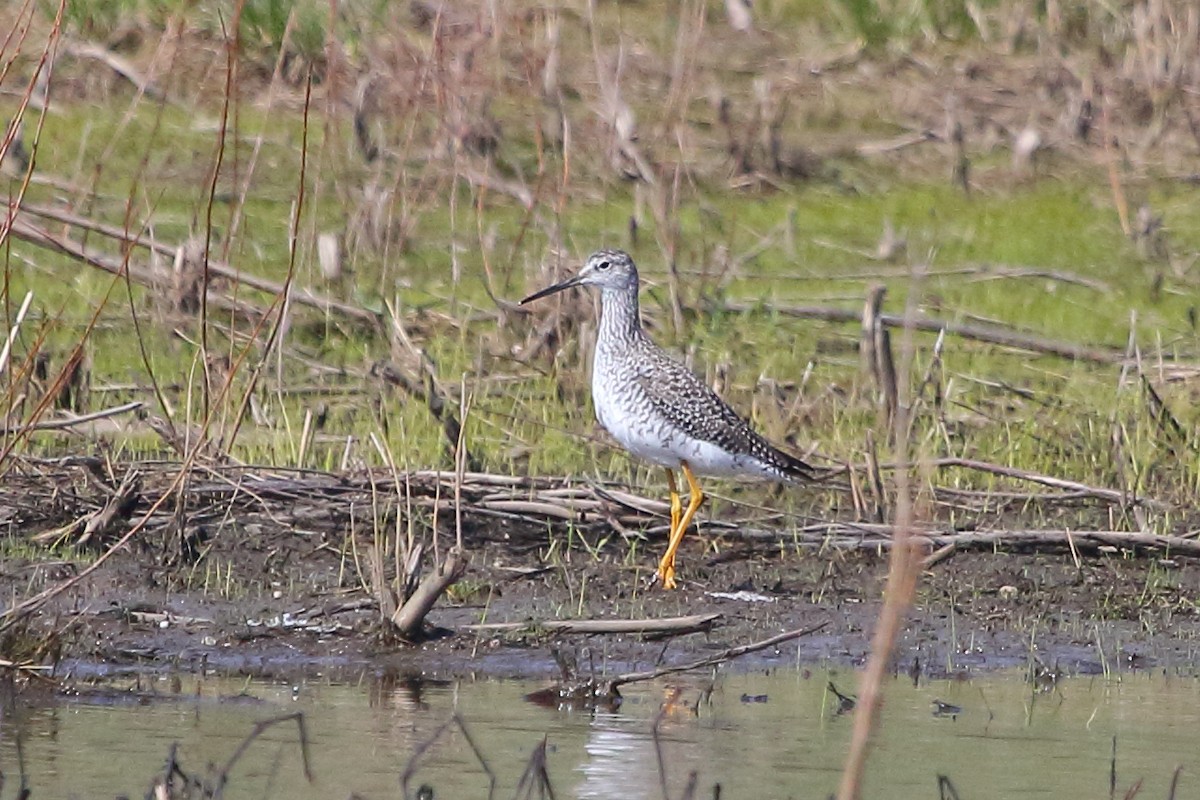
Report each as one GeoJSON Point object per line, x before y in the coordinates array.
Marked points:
{"type": "Point", "coordinates": [1058, 417]}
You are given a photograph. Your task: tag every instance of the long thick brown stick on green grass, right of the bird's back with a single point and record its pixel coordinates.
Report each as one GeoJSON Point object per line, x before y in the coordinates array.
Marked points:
{"type": "Point", "coordinates": [989, 334]}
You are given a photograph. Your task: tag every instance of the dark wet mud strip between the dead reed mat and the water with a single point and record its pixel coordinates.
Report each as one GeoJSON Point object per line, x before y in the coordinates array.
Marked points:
{"type": "Point", "coordinates": [284, 605]}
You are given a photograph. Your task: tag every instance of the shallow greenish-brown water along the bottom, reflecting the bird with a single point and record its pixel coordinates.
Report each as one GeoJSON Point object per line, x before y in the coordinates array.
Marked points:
{"type": "Point", "coordinates": [758, 736]}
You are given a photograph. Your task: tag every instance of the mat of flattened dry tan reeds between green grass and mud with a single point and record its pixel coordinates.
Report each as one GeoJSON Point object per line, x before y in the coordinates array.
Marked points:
{"type": "Point", "coordinates": [86, 502]}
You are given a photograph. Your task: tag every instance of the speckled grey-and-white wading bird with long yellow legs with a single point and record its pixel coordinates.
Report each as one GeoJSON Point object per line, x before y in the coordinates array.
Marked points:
{"type": "Point", "coordinates": [658, 410]}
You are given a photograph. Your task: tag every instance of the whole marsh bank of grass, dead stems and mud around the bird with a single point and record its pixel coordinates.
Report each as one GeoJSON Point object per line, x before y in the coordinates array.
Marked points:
{"type": "Point", "coordinates": [265, 362]}
